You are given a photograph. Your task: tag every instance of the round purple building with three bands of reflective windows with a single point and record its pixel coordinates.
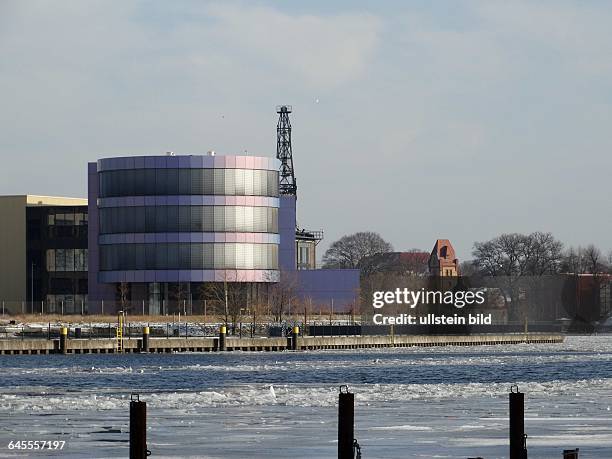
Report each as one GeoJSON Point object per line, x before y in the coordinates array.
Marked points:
{"type": "Point", "coordinates": [159, 223]}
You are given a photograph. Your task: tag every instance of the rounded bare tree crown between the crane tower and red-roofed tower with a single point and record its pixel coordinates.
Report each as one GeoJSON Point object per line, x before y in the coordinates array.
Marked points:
{"type": "Point", "coordinates": [349, 250]}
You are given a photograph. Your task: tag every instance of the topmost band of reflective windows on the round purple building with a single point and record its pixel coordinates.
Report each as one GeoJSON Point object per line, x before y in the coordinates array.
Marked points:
{"type": "Point", "coordinates": [169, 182]}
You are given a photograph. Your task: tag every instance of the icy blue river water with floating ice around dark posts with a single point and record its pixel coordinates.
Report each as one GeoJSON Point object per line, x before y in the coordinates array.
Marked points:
{"type": "Point", "coordinates": [410, 402]}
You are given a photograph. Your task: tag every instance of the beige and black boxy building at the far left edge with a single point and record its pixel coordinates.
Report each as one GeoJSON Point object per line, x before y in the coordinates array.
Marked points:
{"type": "Point", "coordinates": [43, 252]}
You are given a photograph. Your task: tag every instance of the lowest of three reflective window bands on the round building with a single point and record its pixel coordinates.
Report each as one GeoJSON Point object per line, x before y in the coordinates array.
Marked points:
{"type": "Point", "coordinates": [196, 256]}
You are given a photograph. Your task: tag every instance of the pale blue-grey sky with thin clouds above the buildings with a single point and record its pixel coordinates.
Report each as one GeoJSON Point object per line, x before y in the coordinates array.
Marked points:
{"type": "Point", "coordinates": [418, 120]}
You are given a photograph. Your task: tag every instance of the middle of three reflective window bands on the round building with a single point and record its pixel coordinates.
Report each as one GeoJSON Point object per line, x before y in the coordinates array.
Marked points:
{"type": "Point", "coordinates": [169, 219]}
